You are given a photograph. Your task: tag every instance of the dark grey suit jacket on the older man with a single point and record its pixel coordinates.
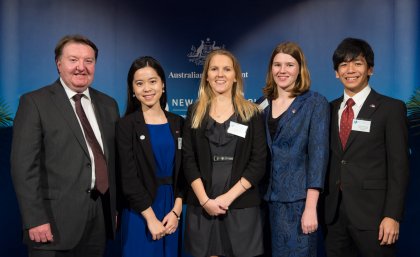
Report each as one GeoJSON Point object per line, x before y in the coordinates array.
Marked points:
{"type": "Point", "coordinates": [50, 163]}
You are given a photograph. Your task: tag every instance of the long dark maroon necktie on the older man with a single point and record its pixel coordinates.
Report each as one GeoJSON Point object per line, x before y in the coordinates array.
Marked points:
{"type": "Point", "coordinates": [101, 174]}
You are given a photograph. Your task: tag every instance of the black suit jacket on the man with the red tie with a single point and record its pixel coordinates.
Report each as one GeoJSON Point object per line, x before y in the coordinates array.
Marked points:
{"type": "Point", "coordinates": [373, 168]}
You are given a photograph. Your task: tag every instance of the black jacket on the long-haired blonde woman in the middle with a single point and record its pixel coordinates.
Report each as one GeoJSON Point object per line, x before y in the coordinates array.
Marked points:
{"type": "Point", "coordinates": [249, 159]}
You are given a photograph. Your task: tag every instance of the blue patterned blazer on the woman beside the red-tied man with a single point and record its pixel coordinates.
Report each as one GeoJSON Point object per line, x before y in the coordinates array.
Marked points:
{"type": "Point", "coordinates": [299, 149]}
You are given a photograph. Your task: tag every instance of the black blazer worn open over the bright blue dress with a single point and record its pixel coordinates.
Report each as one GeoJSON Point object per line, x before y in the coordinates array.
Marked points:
{"type": "Point", "coordinates": [137, 163]}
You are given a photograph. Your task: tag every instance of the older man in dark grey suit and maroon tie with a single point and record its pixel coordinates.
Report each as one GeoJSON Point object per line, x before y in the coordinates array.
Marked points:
{"type": "Point", "coordinates": [63, 158]}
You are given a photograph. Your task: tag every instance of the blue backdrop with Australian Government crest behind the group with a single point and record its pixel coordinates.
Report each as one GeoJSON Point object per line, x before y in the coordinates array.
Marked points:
{"type": "Point", "coordinates": [178, 33]}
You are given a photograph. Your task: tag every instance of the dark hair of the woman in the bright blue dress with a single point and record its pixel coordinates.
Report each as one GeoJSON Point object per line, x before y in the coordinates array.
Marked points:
{"type": "Point", "coordinates": [146, 61]}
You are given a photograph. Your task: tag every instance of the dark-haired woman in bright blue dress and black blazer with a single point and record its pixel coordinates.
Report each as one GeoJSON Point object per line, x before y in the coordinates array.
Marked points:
{"type": "Point", "coordinates": [149, 144]}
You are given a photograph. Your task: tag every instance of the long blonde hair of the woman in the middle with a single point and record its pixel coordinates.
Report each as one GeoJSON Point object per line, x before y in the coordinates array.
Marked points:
{"type": "Point", "coordinates": [242, 107]}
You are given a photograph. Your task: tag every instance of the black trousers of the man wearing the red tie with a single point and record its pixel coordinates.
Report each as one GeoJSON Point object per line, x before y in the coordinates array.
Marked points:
{"type": "Point", "coordinates": [343, 239]}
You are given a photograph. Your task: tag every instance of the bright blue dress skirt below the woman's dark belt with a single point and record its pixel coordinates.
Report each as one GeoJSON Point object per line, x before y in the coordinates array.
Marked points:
{"type": "Point", "coordinates": [136, 238]}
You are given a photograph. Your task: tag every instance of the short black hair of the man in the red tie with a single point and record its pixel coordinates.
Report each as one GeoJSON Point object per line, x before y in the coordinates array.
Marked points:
{"type": "Point", "coordinates": [350, 48]}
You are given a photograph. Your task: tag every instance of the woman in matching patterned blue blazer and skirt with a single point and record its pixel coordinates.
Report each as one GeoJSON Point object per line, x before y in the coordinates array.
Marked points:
{"type": "Point", "coordinates": [297, 123]}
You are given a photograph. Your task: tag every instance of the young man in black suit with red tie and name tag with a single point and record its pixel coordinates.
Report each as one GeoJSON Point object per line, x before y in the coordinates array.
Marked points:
{"type": "Point", "coordinates": [368, 169]}
